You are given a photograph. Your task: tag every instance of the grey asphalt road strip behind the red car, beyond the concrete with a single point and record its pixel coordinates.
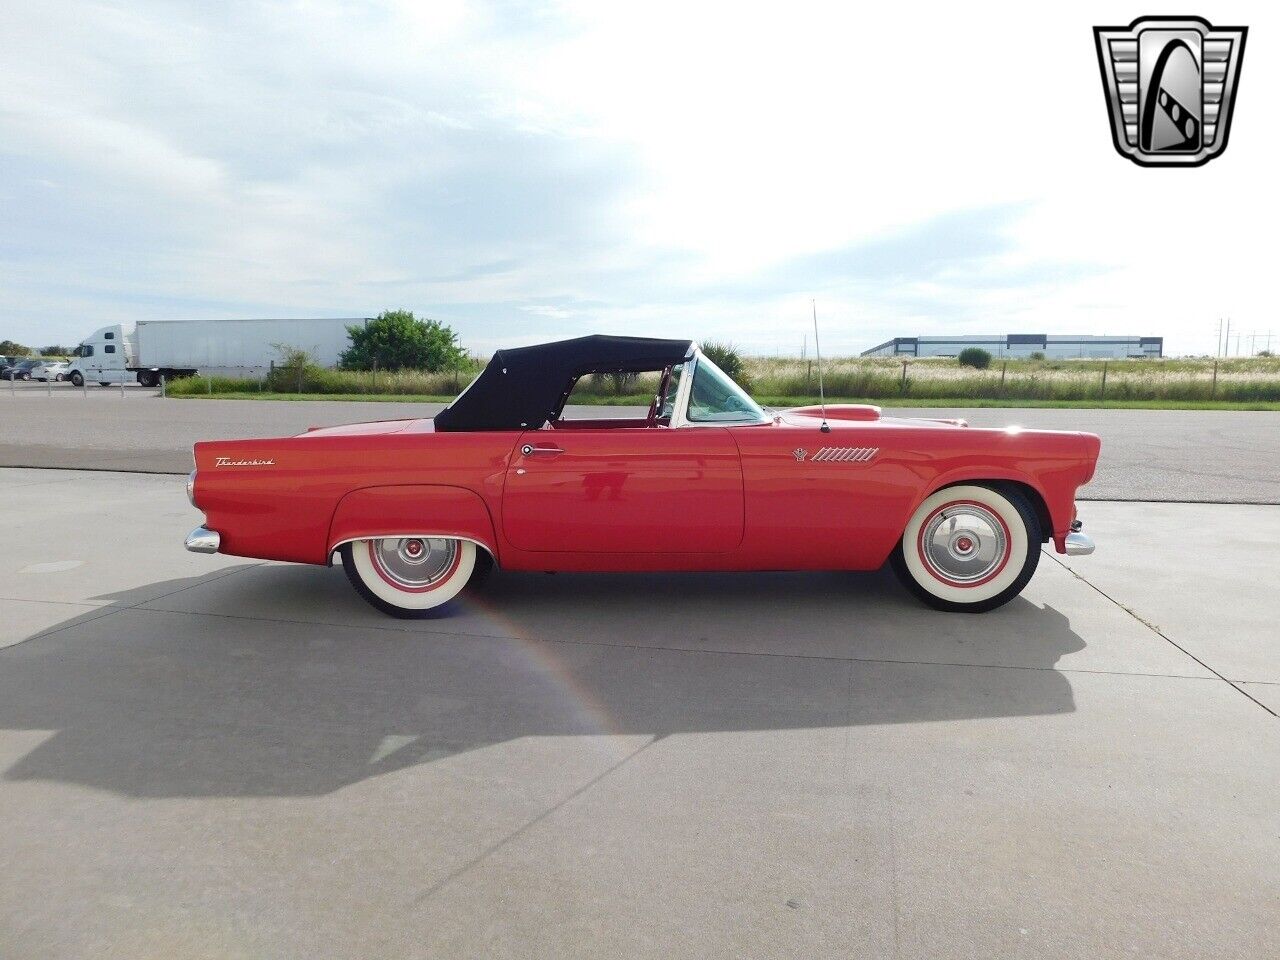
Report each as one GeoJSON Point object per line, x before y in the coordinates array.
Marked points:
{"type": "Point", "coordinates": [1148, 455]}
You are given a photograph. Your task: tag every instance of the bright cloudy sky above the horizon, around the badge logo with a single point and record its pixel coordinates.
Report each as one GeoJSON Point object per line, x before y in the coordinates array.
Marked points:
{"type": "Point", "coordinates": [529, 172]}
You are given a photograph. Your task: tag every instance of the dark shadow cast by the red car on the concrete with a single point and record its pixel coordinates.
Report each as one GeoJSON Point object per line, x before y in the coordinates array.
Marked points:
{"type": "Point", "coordinates": [205, 702]}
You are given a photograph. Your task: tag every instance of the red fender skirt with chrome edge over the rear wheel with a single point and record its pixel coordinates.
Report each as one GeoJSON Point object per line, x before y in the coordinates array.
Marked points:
{"type": "Point", "coordinates": [422, 510]}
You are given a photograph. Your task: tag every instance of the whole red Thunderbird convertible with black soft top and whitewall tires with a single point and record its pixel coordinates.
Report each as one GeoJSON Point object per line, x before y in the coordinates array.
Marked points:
{"type": "Point", "coordinates": [707, 481]}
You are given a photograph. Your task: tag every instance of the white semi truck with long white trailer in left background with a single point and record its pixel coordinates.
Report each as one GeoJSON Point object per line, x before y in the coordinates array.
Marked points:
{"type": "Point", "coordinates": [173, 349]}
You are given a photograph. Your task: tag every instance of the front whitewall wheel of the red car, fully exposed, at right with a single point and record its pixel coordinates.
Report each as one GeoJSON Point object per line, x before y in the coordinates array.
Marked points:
{"type": "Point", "coordinates": [970, 548]}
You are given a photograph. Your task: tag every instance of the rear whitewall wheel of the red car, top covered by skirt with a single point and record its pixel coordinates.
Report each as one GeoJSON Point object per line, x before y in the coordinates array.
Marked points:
{"type": "Point", "coordinates": [415, 577]}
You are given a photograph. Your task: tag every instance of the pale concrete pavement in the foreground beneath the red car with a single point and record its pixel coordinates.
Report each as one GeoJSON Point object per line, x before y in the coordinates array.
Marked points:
{"type": "Point", "coordinates": [212, 757]}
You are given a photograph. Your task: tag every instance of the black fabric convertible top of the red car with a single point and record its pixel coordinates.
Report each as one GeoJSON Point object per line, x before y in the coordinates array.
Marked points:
{"type": "Point", "coordinates": [525, 387]}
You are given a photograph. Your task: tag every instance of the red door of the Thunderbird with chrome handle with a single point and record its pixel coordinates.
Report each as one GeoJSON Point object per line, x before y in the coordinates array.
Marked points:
{"type": "Point", "coordinates": [625, 491]}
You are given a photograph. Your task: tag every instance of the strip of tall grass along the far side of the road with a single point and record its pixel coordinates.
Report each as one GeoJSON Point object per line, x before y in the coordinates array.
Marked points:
{"type": "Point", "coordinates": [1195, 385]}
